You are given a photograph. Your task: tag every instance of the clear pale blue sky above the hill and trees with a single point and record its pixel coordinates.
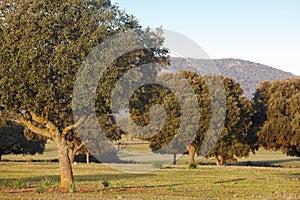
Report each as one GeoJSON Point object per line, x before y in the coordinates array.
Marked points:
{"type": "Point", "coordinates": [262, 31]}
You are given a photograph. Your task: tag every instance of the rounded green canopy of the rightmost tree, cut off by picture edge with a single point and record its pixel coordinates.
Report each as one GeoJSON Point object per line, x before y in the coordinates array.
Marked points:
{"type": "Point", "coordinates": [277, 115]}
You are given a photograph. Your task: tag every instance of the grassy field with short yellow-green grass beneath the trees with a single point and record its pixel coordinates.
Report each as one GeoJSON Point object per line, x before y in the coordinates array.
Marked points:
{"type": "Point", "coordinates": [22, 180]}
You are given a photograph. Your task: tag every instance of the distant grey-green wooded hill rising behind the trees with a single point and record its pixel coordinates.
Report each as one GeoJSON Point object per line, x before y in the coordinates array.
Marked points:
{"type": "Point", "coordinates": [248, 74]}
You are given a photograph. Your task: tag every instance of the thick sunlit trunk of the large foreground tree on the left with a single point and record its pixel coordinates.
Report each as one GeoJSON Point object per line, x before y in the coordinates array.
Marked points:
{"type": "Point", "coordinates": [66, 174]}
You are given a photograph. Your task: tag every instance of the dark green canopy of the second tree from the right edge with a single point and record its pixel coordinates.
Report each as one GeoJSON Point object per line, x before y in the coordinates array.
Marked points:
{"type": "Point", "coordinates": [236, 139]}
